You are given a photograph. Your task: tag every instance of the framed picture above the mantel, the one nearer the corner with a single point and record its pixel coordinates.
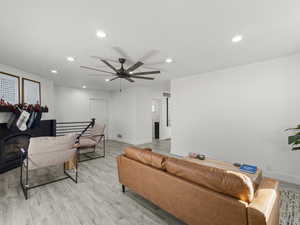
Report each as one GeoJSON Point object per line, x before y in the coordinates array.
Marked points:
{"type": "Point", "coordinates": [31, 91]}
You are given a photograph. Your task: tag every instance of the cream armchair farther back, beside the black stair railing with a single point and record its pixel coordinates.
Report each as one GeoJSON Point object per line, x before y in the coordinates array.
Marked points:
{"type": "Point", "coordinates": [89, 142]}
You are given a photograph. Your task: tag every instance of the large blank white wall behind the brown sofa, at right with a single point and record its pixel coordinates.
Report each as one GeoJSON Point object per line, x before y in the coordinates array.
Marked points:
{"type": "Point", "coordinates": [239, 115]}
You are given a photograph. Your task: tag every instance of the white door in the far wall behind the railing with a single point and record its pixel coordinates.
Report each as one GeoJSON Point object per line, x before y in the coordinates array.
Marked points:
{"type": "Point", "coordinates": [98, 110]}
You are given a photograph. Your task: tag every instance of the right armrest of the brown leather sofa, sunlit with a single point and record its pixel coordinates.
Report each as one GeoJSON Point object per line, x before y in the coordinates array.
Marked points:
{"type": "Point", "coordinates": [264, 209]}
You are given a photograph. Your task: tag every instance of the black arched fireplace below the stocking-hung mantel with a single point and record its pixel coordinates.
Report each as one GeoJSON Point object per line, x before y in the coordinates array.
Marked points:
{"type": "Point", "coordinates": [10, 154]}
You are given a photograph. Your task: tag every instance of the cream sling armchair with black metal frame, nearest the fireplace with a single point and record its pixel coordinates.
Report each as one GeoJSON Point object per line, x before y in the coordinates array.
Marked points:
{"type": "Point", "coordinates": [48, 151]}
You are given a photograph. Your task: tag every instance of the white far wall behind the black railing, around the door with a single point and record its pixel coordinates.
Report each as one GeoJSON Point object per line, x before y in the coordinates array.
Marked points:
{"type": "Point", "coordinates": [72, 104]}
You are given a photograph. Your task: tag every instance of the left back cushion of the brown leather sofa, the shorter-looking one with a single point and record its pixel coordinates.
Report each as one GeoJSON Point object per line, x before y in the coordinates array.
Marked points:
{"type": "Point", "coordinates": [146, 156]}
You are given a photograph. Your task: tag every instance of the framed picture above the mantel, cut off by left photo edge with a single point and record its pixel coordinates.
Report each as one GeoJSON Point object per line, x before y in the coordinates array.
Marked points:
{"type": "Point", "coordinates": [10, 88]}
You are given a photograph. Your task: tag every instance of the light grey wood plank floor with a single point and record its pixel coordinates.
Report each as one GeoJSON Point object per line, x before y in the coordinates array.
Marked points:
{"type": "Point", "coordinates": [97, 199]}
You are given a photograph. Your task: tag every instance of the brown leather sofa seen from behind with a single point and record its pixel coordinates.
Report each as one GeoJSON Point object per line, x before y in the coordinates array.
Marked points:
{"type": "Point", "coordinates": [196, 194]}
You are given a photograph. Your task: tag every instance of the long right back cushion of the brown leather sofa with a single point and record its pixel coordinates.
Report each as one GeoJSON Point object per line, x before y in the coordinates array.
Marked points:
{"type": "Point", "coordinates": [223, 181]}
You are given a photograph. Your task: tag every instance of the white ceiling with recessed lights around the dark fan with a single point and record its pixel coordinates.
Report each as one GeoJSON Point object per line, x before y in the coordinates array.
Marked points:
{"type": "Point", "coordinates": [37, 36]}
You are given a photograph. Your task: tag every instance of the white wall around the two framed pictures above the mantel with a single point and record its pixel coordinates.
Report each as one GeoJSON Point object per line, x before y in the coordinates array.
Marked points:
{"type": "Point", "coordinates": [46, 91]}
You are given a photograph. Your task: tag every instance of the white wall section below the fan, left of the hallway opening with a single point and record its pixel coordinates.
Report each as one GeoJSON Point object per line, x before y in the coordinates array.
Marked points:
{"type": "Point", "coordinates": [131, 114]}
